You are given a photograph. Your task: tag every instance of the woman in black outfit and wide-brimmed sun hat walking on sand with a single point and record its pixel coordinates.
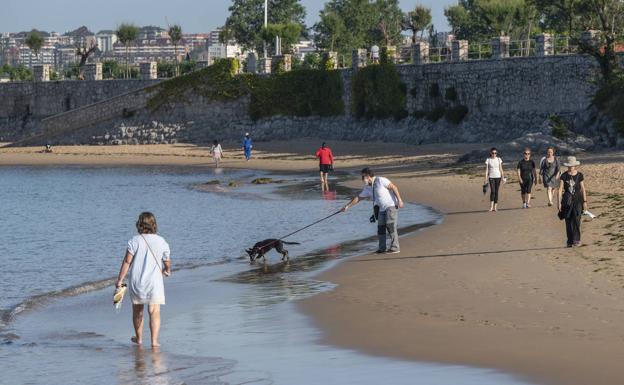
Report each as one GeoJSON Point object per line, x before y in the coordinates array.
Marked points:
{"type": "Point", "coordinates": [572, 200]}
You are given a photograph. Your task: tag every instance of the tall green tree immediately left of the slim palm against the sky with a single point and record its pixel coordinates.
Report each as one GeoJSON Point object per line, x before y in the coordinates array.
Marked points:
{"type": "Point", "coordinates": [387, 30]}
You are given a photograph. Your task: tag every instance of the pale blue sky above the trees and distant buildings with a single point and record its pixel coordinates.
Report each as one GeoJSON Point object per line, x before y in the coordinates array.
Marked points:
{"type": "Point", "coordinates": [193, 15]}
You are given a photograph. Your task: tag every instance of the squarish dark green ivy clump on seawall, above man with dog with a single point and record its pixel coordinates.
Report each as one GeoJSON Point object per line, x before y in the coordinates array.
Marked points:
{"type": "Point", "coordinates": [378, 93]}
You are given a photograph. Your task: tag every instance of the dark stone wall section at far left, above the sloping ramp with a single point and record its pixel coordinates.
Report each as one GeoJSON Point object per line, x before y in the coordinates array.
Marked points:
{"type": "Point", "coordinates": [24, 104]}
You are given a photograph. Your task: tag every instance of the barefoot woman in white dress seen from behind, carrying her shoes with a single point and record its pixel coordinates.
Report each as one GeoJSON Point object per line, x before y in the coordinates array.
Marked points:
{"type": "Point", "coordinates": [146, 255]}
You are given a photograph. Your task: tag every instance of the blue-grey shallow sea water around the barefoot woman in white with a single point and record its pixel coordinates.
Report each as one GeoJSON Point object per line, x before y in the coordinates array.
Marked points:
{"type": "Point", "coordinates": [225, 322]}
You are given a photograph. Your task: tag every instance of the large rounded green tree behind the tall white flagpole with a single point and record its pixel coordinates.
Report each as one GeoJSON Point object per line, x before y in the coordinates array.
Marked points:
{"type": "Point", "coordinates": [246, 21]}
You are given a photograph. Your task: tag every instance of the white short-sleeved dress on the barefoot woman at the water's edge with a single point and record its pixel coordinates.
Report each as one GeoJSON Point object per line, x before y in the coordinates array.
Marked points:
{"type": "Point", "coordinates": [145, 279]}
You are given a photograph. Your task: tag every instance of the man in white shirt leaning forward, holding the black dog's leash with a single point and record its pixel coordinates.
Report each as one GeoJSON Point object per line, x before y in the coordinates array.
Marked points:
{"type": "Point", "coordinates": [386, 203]}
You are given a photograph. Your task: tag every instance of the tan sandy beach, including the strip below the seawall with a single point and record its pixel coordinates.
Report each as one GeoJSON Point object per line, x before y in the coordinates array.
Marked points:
{"type": "Point", "coordinates": [496, 290]}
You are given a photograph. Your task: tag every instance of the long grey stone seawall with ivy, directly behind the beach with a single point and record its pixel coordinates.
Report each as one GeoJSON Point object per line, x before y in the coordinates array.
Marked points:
{"type": "Point", "coordinates": [506, 98]}
